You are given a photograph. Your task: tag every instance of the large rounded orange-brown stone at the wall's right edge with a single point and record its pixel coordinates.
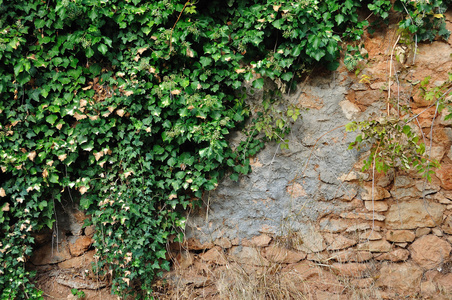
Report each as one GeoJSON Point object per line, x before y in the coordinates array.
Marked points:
{"type": "Point", "coordinates": [430, 251]}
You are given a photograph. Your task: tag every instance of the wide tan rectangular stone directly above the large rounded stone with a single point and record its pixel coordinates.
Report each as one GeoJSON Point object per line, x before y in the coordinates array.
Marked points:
{"type": "Point", "coordinates": [414, 213]}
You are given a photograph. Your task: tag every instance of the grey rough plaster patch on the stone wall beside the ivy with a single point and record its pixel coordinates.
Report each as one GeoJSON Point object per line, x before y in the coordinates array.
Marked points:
{"type": "Point", "coordinates": [269, 196]}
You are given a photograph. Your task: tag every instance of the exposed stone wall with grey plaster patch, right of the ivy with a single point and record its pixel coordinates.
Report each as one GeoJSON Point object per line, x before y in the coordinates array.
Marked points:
{"type": "Point", "coordinates": [309, 211]}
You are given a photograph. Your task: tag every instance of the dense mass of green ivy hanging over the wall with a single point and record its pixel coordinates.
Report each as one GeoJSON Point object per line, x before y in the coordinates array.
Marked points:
{"type": "Point", "coordinates": [126, 105]}
